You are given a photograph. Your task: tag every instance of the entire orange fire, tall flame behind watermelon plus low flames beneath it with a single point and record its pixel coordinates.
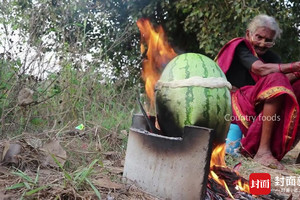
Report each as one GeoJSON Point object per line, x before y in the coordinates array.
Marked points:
{"type": "Point", "coordinates": [158, 53]}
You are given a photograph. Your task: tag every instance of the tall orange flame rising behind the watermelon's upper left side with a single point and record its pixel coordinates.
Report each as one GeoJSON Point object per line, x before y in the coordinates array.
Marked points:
{"type": "Point", "coordinates": [159, 53]}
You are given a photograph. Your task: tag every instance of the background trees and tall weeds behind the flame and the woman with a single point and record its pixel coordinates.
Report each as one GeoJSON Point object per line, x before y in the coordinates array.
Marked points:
{"type": "Point", "coordinates": [81, 89]}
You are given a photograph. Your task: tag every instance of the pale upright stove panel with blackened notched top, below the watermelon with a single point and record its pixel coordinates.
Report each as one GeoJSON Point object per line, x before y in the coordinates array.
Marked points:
{"type": "Point", "coordinates": [169, 167]}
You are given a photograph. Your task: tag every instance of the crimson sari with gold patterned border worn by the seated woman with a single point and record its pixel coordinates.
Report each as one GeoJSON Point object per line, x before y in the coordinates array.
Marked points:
{"type": "Point", "coordinates": [247, 105]}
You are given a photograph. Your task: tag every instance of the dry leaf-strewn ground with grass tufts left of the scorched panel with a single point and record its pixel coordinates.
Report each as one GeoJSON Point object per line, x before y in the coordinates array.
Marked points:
{"type": "Point", "coordinates": [28, 169]}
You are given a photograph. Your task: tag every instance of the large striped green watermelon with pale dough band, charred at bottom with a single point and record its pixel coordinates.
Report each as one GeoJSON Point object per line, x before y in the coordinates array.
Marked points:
{"type": "Point", "coordinates": [193, 90]}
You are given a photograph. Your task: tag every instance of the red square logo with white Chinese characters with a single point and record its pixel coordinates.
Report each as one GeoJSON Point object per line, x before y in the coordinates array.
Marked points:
{"type": "Point", "coordinates": [260, 183]}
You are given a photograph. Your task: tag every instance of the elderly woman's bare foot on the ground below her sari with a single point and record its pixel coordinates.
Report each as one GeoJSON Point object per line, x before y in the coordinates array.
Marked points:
{"type": "Point", "coordinates": [268, 160]}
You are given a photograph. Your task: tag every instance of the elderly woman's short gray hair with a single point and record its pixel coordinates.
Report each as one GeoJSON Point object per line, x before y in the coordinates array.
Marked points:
{"type": "Point", "coordinates": [265, 21]}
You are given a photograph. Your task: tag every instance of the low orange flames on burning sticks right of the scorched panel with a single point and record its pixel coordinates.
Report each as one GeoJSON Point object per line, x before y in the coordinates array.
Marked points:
{"type": "Point", "coordinates": [218, 159]}
